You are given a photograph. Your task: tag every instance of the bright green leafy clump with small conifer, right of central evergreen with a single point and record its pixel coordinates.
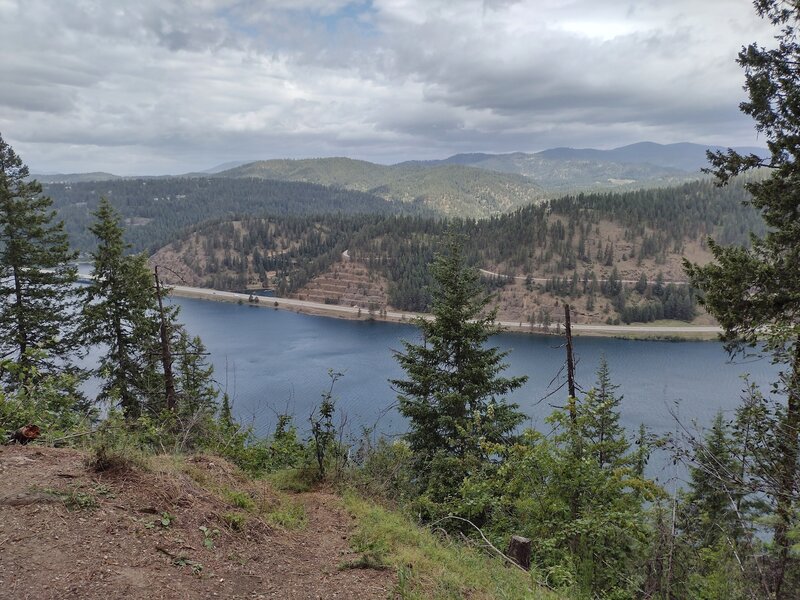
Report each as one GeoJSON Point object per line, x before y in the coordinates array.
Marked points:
{"type": "Point", "coordinates": [577, 493]}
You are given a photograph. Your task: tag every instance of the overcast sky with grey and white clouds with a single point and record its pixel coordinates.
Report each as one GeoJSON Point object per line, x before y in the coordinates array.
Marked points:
{"type": "Point", "coordinates": [172, 86]}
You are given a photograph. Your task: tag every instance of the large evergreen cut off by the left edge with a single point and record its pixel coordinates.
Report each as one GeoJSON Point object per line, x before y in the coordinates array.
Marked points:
{"type": "Point", "coordinates": [37, 293]}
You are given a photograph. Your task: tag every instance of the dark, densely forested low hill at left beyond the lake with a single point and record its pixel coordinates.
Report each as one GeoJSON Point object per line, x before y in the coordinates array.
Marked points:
{"type": "Point", "coordinates": [157, 210]}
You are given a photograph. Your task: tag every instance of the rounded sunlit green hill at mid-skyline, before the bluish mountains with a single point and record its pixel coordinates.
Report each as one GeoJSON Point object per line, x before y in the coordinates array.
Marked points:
{"type": "Point", "coordinates": [451, 189]}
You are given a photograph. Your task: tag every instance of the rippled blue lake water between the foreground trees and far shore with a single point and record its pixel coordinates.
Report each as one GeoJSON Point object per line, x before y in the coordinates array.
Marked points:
{"type": "Point", "coordinates": [276, 361]}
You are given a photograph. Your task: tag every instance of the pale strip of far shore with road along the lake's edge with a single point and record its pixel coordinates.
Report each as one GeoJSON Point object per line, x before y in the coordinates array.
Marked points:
{"type": "Point", "coordinates": [645, 332]}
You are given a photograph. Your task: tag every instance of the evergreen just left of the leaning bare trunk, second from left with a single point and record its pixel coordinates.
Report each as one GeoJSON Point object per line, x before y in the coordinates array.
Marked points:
{"type": "Point", "coordinates": [120, 313]}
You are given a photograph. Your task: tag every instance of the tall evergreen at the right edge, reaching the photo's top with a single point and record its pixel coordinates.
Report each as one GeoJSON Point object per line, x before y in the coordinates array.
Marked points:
{"type": "Point", "coordinates": [754, 292]}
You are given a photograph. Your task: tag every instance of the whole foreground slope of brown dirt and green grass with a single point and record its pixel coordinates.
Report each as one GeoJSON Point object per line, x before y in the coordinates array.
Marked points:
{"type": "Point", "coordinates": [173, 527]}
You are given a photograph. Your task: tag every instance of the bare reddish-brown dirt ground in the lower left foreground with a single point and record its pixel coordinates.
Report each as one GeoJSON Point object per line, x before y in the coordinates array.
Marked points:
{"type": "Point", "coordinates": [68, 532]}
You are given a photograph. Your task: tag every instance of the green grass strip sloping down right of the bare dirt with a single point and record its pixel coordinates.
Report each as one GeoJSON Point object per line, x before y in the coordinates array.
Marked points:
{"type": "Point", "coordinates": [429, 568]}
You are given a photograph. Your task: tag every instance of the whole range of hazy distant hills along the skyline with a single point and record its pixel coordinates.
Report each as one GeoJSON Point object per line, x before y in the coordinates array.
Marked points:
{"type": "Point", "coordinates": [477, 184]}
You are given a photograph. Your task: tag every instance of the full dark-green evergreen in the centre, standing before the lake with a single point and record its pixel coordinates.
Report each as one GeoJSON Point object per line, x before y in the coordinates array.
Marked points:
{"type": "Point", "coordinates": [453, 392]}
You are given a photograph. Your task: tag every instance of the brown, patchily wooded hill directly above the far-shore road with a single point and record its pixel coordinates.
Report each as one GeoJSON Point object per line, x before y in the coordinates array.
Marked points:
{"type": "Point", "coordinates": [570, 247]}
